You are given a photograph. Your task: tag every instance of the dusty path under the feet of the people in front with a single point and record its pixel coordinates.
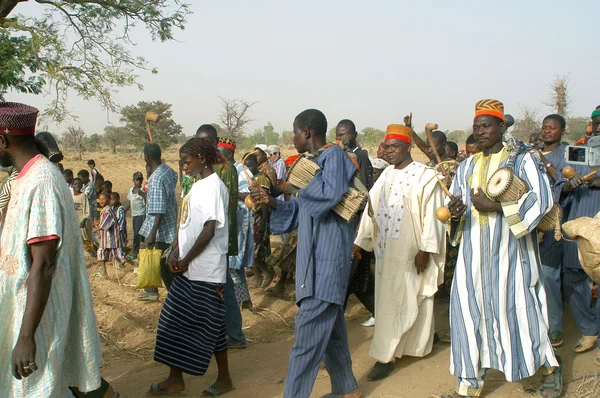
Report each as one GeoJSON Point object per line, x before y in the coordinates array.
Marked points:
{"type": "Point", "coordinates": [260, 370]}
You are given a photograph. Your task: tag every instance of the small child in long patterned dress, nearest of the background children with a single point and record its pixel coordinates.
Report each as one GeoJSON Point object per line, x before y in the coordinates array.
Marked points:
{"type": "Point", "coordinates": [108, 229]}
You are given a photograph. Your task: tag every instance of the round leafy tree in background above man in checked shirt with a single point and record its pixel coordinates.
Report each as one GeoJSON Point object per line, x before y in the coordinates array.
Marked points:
{"type": "Point", "coordinates": [165, 132]}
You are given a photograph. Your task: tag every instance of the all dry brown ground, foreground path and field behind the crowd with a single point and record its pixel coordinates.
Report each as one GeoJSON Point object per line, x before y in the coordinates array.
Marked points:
{"type": "Point", "coordinates": [128, 328]}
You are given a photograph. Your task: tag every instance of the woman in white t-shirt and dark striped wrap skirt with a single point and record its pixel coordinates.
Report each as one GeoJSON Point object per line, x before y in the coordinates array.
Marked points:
{"type": "Point", "coordinates": [191, 327]}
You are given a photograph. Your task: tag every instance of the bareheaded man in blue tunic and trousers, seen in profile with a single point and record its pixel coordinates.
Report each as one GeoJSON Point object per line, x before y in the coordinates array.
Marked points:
{"type": "Point", "coordinates": [322, 263]}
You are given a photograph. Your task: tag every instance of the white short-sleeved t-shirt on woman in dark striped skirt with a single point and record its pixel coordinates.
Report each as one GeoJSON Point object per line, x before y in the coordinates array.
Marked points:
{"type": "Point", "coordinates": [207, 201]}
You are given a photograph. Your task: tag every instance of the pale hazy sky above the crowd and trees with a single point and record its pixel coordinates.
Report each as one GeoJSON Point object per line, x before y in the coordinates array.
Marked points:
{"type": "Point", "coordinates": [372, 62]}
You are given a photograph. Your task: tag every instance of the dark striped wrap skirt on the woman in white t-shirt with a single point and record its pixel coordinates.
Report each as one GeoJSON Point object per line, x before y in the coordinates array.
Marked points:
{"type": "Point", "coordinates": [191, 326]}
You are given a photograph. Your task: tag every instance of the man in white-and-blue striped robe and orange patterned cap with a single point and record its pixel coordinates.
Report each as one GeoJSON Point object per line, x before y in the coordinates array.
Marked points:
{"type": "Point", "coordinates": [498, 313]}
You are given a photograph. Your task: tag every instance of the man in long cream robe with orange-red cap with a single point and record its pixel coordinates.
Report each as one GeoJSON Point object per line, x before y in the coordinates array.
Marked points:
{"type": "Point", "coordinates": [409, 245]}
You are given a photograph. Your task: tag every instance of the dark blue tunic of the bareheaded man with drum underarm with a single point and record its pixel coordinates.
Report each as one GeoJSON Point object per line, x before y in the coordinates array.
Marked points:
{"type": "Point", "coordinates": [324, 274]}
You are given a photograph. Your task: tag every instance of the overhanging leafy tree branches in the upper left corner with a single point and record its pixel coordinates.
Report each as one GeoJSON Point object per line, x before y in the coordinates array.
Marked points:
{"type": "Point", "coordinates": [80, 46]}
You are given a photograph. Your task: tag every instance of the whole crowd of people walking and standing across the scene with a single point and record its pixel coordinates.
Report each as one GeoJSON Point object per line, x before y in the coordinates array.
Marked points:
{"type": "Point", "coordinates": [506, 280]}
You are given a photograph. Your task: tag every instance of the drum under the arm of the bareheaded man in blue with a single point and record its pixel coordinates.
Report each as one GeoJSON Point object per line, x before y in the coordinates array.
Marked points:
{"type": "Point", "coordinates": [304, 170]}
